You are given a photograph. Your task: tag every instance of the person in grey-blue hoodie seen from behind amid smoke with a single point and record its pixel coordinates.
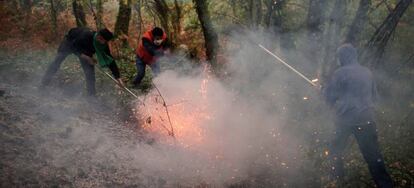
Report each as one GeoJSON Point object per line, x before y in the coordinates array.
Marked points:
{"type": "Point", "coordinates": [352, 93]}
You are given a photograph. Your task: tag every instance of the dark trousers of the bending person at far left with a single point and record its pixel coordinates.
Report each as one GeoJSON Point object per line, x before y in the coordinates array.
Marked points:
{"type": "Point", "coordinates": [63, 52]}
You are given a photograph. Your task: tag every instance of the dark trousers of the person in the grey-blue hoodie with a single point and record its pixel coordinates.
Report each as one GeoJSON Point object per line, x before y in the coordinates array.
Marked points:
{"type": "Point", "coordinates": [367, 139]}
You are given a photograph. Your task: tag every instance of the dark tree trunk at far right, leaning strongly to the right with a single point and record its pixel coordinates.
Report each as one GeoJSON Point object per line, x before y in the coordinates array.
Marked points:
{"type": "Point", "coordinates": [375, 48]}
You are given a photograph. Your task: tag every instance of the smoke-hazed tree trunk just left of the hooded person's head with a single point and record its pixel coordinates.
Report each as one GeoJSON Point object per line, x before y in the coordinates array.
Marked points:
{"type": "Point", "coordinates": [332, 39]}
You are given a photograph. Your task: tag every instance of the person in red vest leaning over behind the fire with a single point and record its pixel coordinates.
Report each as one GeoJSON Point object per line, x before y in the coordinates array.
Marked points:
{"type": "Point", "coordinates": [150, 48]}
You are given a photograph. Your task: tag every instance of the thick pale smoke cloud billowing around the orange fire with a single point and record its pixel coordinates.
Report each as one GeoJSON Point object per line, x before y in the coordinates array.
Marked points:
{"type": "Point", "coordinates": [226, 132]}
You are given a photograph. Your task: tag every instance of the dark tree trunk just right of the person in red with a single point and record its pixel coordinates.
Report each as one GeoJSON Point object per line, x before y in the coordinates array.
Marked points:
{"type": "Point", "coordinates": [210, 35]}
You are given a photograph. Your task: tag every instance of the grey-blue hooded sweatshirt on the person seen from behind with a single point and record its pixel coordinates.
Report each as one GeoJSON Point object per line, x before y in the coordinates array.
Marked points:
{"type": "Point", "coordinates": [351, 91]}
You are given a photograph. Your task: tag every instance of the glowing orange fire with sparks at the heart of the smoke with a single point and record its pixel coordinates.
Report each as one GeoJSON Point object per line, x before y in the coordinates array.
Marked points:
{"type": "Point", "coordinates": [188, 114]}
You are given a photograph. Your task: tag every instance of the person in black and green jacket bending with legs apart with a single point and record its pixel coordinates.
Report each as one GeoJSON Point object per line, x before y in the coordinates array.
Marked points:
{"type": "Point", "coordinates": [83, 42]}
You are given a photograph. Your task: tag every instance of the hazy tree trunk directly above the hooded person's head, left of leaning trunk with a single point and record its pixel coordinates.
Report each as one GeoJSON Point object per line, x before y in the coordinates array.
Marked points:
{"type": "Point", "coordinates": [358, 23]}
